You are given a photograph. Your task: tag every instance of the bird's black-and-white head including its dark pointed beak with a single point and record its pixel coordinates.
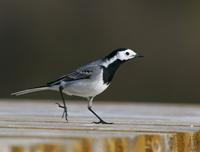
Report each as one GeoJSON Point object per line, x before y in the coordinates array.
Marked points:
{"type": "Point", "coordinates": [123, 54]}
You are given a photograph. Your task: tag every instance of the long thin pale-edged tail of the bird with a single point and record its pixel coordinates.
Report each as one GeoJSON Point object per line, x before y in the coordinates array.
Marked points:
{"type": "Point", "coordinates": [42, 88]}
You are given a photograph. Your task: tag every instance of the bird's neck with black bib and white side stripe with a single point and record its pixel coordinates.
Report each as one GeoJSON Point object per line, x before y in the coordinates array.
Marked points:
{"type": "Point", "coordinates": [110, 66]}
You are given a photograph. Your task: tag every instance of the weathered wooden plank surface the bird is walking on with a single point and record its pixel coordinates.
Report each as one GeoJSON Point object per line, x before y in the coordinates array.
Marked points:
{"type": "Point", "coordinates": [27, 125]}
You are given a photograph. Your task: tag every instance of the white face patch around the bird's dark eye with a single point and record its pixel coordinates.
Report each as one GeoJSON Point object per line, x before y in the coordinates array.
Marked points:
{"type": "Point", "coordinates": [126, 55]}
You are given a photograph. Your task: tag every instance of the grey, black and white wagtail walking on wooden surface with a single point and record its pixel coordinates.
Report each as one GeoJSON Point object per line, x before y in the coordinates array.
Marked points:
{"type": "Point", "coordinates": [88, 80]}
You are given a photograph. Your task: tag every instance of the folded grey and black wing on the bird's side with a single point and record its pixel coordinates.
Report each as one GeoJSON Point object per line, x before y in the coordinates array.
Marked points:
{"type": "Point", "coordinates": [83, 72]}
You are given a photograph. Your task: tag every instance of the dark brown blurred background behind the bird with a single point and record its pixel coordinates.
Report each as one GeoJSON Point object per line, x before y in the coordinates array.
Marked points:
{"type": "Point", "coordinates": [42, 40]}
